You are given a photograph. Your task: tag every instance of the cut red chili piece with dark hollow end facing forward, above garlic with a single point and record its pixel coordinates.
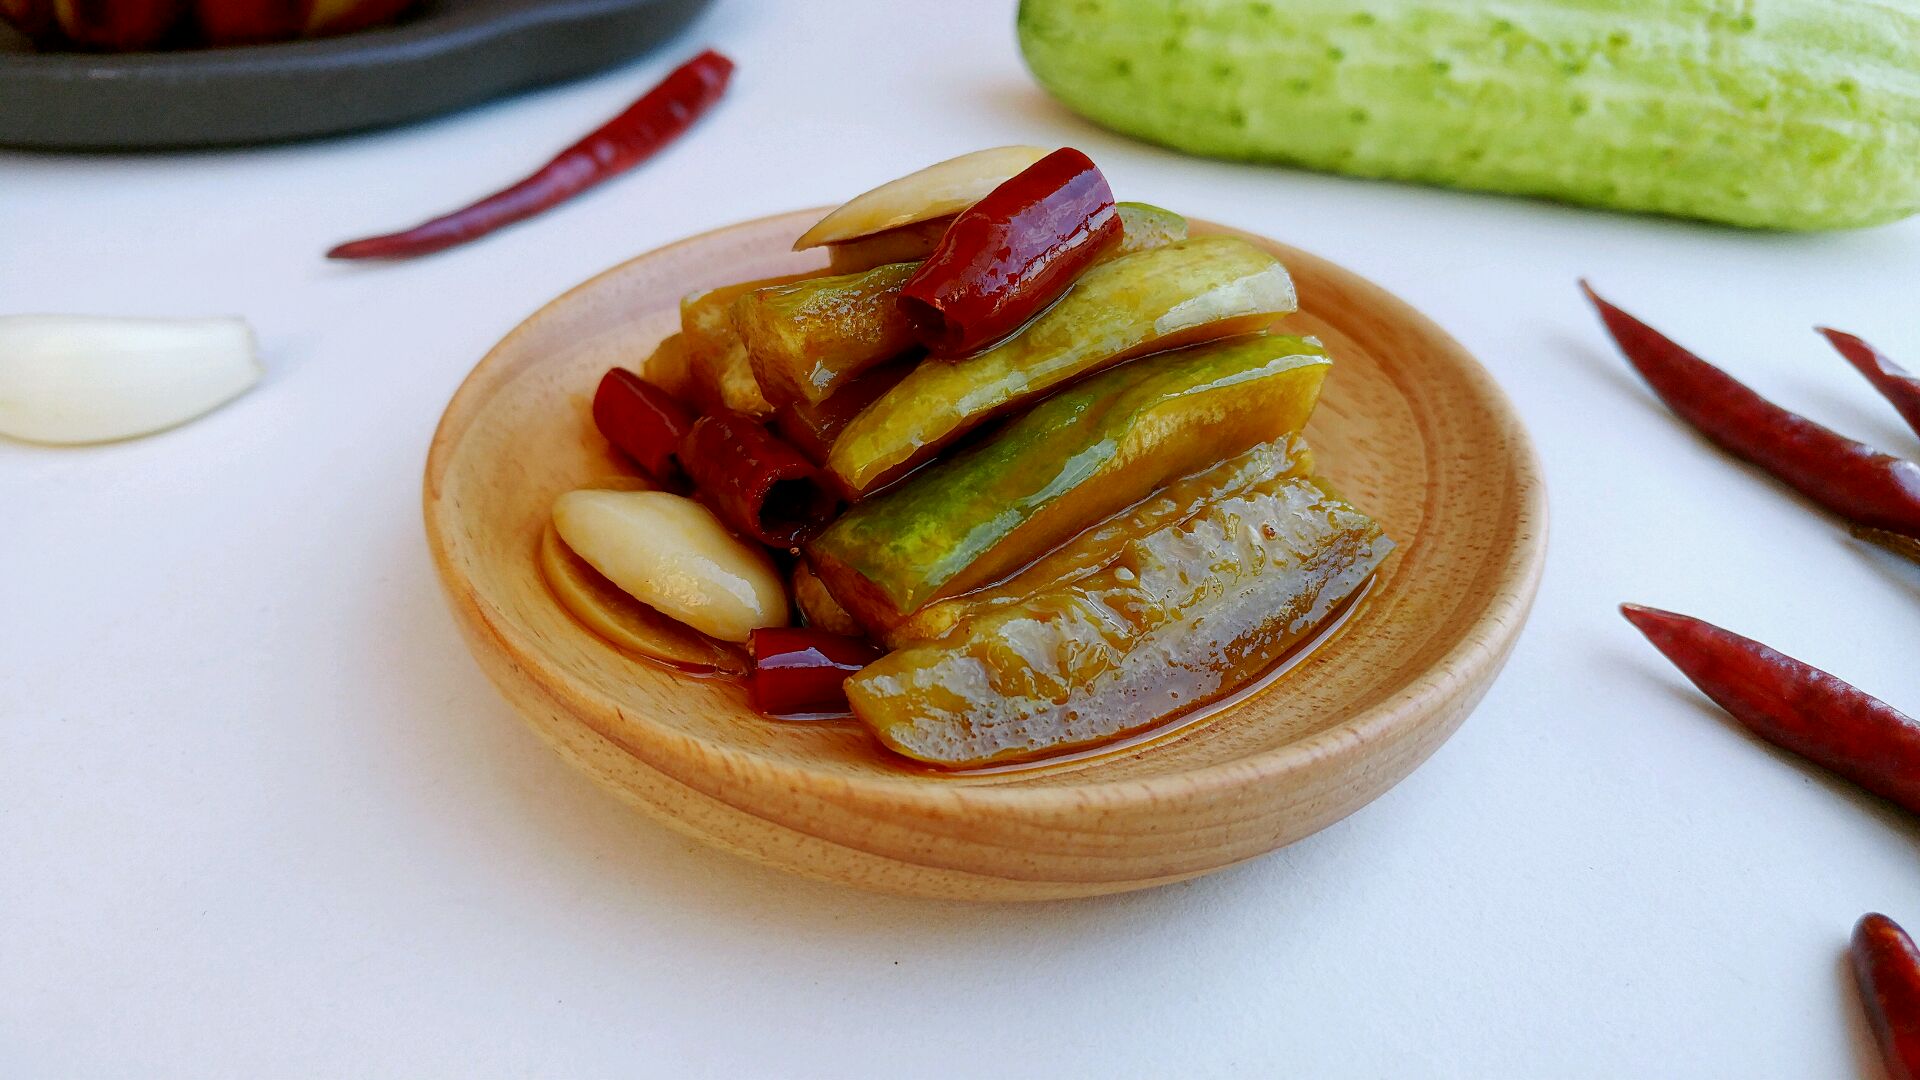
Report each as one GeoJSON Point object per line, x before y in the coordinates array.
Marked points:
{"type": "Point", "coordinates": [757, 485]}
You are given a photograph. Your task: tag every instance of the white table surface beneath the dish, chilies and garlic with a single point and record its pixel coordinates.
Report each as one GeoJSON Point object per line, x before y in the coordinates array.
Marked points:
{"type": "Point", "coordinates": [260, 814]}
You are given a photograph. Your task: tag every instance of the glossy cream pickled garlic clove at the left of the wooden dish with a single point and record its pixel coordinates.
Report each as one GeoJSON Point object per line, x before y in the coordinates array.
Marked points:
{"type": "Point", "coordinates": [673, 554]}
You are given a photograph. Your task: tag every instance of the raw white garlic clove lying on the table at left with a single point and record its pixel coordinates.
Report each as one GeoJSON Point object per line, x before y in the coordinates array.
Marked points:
{"type": "Point", "coordinates": [74, 380]}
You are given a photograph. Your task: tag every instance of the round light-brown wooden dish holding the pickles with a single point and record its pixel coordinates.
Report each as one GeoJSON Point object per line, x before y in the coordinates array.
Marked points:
{"type": "Point", "coordinates": [1412, 430]}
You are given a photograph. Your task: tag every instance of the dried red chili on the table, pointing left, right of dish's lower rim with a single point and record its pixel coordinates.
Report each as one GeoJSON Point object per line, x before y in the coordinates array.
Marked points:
{"type": "Point", "coordinates": [1794, 706]}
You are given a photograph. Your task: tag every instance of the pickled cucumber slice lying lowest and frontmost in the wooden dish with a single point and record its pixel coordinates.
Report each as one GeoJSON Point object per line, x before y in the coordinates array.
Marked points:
{"type": "Point", "coordinates": [1184, 618]}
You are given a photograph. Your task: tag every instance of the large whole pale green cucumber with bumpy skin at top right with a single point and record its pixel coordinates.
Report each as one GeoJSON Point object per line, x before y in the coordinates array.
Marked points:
{"type": "Point", "coordinates": [1773, 114]}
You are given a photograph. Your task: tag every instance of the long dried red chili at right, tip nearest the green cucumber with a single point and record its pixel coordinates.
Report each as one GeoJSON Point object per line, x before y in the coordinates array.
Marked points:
{"type": "Point", "coordinates": [1848, 478]}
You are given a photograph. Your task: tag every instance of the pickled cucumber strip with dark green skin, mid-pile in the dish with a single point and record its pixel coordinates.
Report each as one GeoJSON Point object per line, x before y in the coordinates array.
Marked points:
{"type": "Point", "coordinates": [1072, 462]}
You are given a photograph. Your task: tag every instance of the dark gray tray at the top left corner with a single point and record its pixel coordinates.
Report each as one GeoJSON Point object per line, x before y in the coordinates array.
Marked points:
{"type": "Point", "coordinates": [448, 55]}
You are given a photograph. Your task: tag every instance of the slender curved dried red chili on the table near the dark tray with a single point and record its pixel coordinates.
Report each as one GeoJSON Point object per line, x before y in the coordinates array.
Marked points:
{"type": "Point", "coordinates": [629, 139]}
